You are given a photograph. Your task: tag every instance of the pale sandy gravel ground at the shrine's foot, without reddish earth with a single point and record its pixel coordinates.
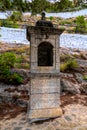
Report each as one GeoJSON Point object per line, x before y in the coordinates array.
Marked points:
{"type": "Point", "coordinates": [74, 118]}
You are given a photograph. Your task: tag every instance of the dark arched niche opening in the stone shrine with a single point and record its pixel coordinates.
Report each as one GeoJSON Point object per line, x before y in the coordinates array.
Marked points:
{"type": "Point", "coordinates": [45, 54]}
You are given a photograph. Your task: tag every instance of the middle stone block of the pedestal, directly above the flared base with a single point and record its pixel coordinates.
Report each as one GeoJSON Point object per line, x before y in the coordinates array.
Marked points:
{"type": "Point", "coordinates": [43, 101]}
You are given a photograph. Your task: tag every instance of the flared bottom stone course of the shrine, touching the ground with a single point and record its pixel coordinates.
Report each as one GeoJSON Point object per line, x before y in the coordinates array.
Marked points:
{"type": "Point", "coordinates": [43, 114]}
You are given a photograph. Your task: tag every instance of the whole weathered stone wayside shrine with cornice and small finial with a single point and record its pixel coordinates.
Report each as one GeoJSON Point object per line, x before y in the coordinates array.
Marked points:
{"type": "Point", "coordinates": [44, 70]}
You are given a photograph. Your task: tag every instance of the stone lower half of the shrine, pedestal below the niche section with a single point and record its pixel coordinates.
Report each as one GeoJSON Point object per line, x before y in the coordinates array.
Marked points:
{"type": "Point", "coordinates": [45, 97]}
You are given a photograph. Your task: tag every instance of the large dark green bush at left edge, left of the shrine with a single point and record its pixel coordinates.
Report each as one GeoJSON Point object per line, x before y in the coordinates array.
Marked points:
{"type": "Point", "coordinates": [7, 61]}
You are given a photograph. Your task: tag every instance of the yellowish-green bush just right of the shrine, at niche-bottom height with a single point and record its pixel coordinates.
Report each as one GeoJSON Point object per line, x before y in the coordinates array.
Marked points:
{"type": "Point", "coordinates": [69, 65]}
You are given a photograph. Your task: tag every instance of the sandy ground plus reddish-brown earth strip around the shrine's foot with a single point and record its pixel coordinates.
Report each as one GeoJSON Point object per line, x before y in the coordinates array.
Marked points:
{"type": "Point", "coordinates": [74, 117]}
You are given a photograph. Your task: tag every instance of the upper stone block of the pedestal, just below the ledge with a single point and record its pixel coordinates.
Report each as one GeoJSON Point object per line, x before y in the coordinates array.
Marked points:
{"type": "Point", "coordinates": [45, 85]}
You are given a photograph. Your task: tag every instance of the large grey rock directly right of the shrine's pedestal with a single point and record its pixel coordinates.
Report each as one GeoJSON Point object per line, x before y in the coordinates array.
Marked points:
{"type": "Point", "coordinates": [70, 87]}
